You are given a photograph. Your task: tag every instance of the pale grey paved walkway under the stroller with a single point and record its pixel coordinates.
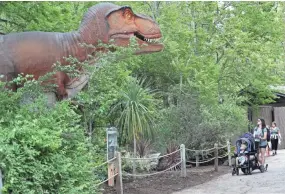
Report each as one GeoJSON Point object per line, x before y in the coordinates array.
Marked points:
{"type": "Point", "coordinates": [270, 182]}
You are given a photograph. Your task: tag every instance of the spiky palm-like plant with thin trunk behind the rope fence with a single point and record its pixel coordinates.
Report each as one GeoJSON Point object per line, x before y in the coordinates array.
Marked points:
{"type": "Point", "coordinates": [137, 108]}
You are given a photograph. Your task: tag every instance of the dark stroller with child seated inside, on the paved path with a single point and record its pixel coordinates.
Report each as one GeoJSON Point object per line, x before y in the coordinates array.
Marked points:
{"type": "Point", "coordinates": [246, 156]}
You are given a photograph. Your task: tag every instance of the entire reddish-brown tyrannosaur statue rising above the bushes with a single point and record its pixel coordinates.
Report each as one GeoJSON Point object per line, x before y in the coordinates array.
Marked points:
{"type": "Point", "coordinates": [34, 53]}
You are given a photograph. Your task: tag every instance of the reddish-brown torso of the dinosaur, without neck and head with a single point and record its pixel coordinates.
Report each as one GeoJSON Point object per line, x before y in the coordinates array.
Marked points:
{"type": "Point", "coordinates": [34, 53]}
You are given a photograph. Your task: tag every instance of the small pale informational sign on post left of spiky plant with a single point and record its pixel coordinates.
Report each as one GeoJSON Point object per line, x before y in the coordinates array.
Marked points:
{"type": "Point", "coordinates": [112, 143]}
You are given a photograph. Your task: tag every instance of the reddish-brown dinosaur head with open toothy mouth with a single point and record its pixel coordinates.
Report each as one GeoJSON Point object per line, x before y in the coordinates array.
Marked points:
{"type": "Point", "coordinates": [106, 22]}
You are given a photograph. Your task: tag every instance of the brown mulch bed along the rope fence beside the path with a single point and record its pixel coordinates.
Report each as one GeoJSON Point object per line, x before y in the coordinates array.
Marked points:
{"type": "Point", "coordinates": [168, 182]}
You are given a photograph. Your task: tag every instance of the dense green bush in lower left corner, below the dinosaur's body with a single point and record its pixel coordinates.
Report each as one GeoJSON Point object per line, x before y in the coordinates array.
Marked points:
{"type": "Point", "coordinates": [43, 150]}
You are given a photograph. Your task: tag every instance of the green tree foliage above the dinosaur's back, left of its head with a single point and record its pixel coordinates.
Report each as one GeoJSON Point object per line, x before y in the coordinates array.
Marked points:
{"type": "Point", "coordinates": [41, 16]}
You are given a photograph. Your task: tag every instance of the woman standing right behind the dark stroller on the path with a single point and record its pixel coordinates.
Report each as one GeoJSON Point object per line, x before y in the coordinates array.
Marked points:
{"type": "Point", "coordinates": [260, 135]}
